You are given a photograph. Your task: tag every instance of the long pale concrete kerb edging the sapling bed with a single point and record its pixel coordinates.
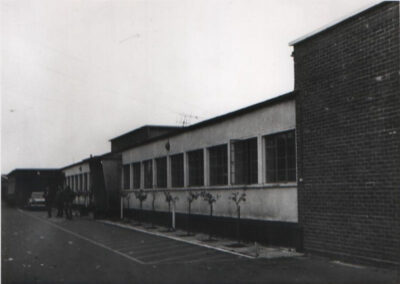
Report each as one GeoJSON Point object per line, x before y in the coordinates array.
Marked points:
{"type": "Point", "coordinates": [175, 238]}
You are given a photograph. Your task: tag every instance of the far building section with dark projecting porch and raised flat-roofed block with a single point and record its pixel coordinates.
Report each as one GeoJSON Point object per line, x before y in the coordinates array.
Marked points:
{"type": "Point", "coordinates": [96, 180]}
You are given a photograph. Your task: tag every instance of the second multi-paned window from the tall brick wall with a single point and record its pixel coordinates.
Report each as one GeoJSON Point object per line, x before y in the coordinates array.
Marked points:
{"type": "Point", "coordinates": [244, 161]}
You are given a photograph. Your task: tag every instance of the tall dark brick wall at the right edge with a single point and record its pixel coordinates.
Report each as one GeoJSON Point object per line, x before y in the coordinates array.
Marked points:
{"type": "Point", "coordinates": [348, 133]}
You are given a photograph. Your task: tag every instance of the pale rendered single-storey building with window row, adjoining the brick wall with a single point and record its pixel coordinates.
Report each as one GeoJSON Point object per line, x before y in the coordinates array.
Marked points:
{"type": "Point", "coordinates": [249, 151]}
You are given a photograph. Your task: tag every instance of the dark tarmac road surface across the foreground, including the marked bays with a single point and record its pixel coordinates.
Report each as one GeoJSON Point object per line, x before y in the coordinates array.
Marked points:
{"type": "Point", "coordinates": [36, 249]}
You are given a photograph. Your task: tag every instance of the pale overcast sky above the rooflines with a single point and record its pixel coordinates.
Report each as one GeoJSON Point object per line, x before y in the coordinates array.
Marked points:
{"type": "Point", "coordinates": [75, 74]}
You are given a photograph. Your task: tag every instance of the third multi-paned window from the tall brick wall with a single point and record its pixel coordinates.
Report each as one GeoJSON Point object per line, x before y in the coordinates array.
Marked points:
{"type": "Point", "coordinates": [218, 160]}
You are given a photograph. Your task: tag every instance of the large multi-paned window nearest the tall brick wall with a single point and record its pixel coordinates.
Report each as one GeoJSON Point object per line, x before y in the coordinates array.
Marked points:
{"type": "Point", "coordinates": [280, 150]}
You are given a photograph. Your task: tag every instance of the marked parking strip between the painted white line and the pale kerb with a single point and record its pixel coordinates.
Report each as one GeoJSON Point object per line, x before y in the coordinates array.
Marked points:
{"type": "Point", "coordinates": [137, 246]}
